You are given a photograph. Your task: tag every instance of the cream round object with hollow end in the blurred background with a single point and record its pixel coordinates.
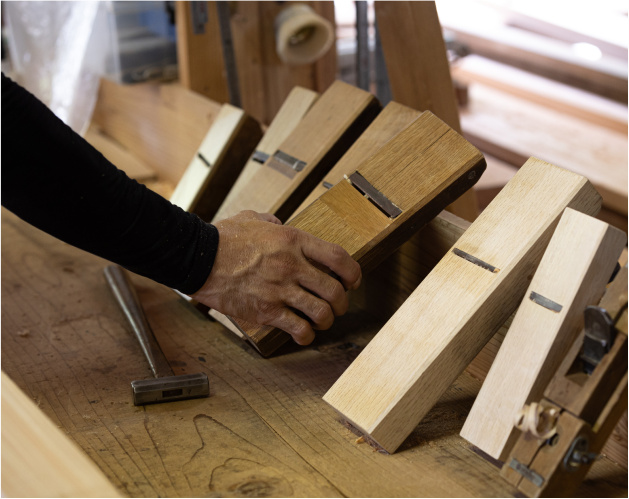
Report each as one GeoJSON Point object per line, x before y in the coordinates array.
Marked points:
{"type": "Point", "coordinates": [302, 35]}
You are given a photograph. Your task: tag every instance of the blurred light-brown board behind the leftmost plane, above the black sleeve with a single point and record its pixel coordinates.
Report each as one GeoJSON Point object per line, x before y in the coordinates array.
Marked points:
{"type": "Point", "coordinates": [162, 125]}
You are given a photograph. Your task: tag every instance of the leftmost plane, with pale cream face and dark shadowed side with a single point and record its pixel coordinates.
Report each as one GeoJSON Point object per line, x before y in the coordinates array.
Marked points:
{"type": "Point", "coordinates": [218, 162]}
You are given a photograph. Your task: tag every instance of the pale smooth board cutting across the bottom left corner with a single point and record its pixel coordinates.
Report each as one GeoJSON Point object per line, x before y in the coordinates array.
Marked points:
{"type": "Point", "coordinates": [36, 458]}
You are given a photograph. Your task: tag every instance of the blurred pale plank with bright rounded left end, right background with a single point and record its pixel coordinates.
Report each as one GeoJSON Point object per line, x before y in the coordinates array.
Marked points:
{"type": "Point", "coordinates": [548, 93]}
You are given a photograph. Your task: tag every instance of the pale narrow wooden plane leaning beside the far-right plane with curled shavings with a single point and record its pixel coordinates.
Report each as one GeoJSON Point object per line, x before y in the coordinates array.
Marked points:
{"type": "Point", "coordinates": [571, 276]}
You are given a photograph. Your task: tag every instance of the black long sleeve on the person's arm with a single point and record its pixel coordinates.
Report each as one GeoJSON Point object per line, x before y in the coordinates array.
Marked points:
{"type": "Point", "coordinates": [53, 179]}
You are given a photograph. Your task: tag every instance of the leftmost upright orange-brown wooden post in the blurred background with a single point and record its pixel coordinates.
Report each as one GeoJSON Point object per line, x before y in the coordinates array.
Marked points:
{"type": "Point", "coordinates": [199, 54]}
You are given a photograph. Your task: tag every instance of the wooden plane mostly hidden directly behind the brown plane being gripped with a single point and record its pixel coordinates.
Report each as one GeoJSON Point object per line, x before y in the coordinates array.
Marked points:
{"type": "Point", "coordinates": [391, 121]}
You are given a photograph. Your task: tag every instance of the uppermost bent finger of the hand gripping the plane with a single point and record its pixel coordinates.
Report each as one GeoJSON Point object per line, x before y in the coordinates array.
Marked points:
{"type": "Point", "coordinates": [335, 258]}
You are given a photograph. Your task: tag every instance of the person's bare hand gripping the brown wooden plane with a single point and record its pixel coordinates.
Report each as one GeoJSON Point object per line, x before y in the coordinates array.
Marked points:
{"type": "Point", "coordinates": [265, 271]}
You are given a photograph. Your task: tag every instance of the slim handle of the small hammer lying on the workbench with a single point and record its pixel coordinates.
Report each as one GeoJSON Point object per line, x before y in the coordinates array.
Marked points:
{"type": "Point", "coordinates": [127, 298]}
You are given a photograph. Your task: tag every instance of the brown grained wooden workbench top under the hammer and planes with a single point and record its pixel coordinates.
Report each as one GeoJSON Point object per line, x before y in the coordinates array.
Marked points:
{"type": "Point", "coordinates": [263, 432]}
